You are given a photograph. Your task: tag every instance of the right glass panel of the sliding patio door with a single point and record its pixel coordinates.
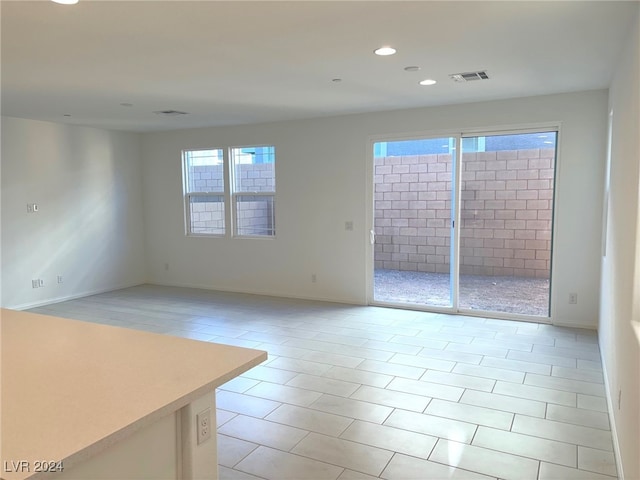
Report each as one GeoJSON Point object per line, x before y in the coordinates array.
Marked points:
{"type": "Point", "coordinates": [506, 219]}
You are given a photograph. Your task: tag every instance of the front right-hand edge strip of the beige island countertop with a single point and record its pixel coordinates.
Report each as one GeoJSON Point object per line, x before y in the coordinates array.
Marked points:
{"type": "Point", "coordinates": [125, 432]}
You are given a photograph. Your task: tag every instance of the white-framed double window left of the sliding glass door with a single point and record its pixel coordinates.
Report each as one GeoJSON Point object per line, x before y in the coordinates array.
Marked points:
{"type": "Point", "coordinates": [230, 191]}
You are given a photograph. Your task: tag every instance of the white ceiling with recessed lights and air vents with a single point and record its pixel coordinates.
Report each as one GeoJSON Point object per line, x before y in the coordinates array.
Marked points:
{"type": "Point", "coordinates": [239, 62]}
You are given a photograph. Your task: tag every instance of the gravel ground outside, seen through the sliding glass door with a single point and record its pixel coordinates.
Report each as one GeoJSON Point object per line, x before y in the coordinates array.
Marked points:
{"type": "Point", "coordinates": [522, 295]}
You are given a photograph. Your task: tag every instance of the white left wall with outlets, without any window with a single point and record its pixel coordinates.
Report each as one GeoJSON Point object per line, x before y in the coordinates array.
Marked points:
{"type": "Point", "coordinates": [89, 229]}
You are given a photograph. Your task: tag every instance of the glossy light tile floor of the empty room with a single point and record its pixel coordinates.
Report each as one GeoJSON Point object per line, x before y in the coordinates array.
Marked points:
{"type": "Point", "coordinates": [355, 393]}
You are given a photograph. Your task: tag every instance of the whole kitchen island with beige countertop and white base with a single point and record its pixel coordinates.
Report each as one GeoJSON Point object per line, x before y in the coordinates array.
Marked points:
{"type": "Point", "coordinates": [80, 400]}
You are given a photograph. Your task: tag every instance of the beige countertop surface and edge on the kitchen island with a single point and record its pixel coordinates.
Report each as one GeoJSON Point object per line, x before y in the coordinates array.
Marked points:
{"type": "Point", "coordinates": [70, 389]}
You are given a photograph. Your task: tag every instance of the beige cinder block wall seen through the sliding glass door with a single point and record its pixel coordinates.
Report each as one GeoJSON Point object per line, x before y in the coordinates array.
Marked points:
{"type": "Point", "coordinates": [506, 212]}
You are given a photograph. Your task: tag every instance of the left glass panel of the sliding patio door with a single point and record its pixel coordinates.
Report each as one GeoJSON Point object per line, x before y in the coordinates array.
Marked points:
{"type": "Point", "coordinates": [413, 182]}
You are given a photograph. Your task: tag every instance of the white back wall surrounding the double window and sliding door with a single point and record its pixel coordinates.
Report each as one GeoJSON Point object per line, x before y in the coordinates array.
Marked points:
{"type": "Point", "coordinates": [322, 180]}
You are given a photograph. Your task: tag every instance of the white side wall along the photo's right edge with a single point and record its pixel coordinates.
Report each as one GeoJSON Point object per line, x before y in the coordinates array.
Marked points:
{"type": "Point", "coordinates": [620, 300]}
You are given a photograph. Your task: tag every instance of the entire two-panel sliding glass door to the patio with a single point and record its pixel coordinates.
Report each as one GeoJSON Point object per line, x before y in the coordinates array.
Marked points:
{"type": "Point", "coordinates": [498, 258]}
